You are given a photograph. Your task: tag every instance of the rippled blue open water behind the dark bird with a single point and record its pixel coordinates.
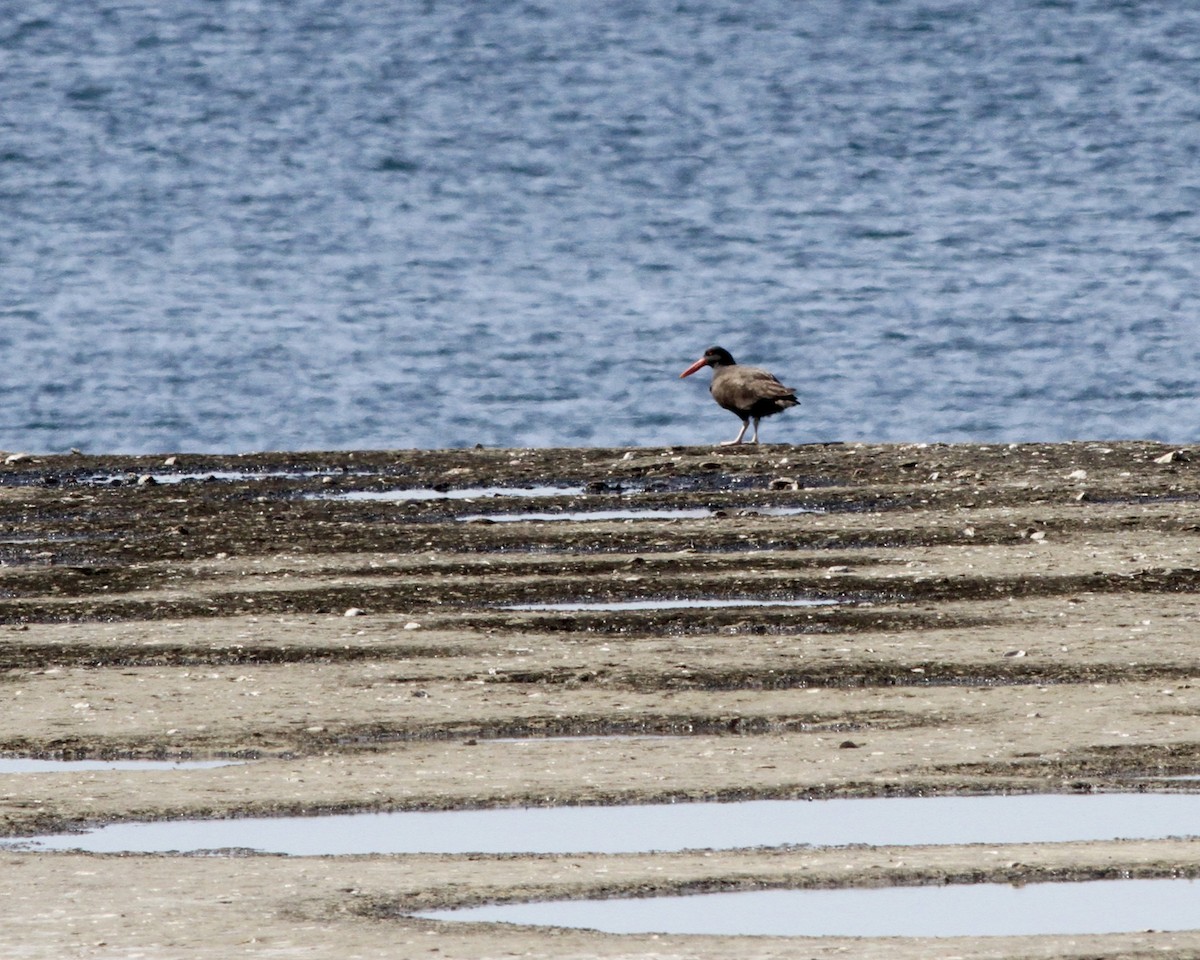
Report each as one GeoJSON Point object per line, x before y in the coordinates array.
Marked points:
{"type": "Point", "coordinates": [244, 225]}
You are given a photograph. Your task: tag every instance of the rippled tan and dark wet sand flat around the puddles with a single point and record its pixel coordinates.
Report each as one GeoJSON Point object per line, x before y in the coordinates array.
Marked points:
{"type": "Point", "coordinates": [1007, 620]}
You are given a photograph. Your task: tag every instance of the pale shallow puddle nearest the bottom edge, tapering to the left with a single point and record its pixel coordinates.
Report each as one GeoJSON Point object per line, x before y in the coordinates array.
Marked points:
{"type": "Point", "coordinates": [1103, 907]}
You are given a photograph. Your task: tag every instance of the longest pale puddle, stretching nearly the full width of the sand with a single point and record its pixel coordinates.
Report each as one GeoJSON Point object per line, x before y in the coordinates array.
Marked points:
{"type": "Point", "coordinates": [670, 827]}
